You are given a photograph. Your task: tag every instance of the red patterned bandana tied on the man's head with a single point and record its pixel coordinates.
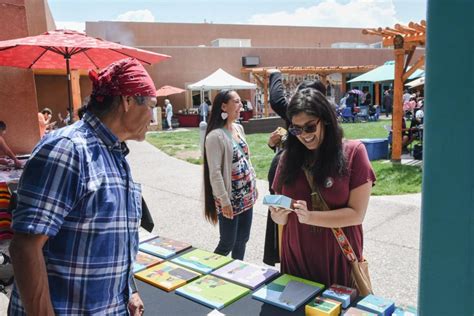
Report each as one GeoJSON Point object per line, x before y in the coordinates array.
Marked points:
{"type": "Point", "coordinates": [126, 77]}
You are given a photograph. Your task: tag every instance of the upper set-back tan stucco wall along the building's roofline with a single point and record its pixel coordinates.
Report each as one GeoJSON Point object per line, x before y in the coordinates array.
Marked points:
{"type": "Point", "coordinates": [187, 34]}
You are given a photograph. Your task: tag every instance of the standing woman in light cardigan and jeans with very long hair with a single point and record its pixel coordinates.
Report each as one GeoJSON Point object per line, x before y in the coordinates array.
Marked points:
{"type": "Point", "coordinates": [229, 178]}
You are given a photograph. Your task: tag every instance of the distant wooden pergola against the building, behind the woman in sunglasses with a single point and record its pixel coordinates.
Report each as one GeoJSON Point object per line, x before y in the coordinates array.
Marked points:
{"type": "Point", "coordinates": [261, 75]}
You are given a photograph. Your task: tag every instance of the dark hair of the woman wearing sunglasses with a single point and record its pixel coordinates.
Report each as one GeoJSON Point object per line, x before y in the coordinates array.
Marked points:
{"type": "Point", "coordinates": [328, 159]}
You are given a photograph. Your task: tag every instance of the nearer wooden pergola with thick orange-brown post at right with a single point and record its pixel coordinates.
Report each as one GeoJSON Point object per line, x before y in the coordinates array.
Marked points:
{"type": "Point", "coordinates": [405, 40]}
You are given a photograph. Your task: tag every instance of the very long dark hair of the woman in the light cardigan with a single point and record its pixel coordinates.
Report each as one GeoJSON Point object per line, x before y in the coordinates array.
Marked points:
{"type": "Point", "coordinates": [215, 121]}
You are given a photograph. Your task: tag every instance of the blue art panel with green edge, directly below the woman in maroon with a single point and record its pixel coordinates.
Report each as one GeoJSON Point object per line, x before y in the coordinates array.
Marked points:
{"type": "Point", "coordinates": [288, 292]}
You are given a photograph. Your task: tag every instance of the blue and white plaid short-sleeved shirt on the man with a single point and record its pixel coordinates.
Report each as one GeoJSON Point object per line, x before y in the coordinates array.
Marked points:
{"type": "Point", "coordinates": [77, 190]}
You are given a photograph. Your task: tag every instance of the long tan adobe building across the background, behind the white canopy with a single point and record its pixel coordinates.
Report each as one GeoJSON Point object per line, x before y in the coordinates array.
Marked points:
{"type": "Point", "coordinates": [198, 50]}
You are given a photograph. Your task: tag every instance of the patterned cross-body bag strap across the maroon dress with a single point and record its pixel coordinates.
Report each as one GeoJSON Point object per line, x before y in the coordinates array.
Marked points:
{"type": "Point", "coordinates": [317, 200]}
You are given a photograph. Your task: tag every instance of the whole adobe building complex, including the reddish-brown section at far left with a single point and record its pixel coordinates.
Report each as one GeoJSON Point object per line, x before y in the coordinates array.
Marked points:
{"type": "Point", "coordinates": [197, 50]}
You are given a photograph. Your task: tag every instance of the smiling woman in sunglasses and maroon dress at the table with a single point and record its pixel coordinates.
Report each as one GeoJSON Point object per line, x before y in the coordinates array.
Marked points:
{"type": "Point", "coordinates": [343, 174]}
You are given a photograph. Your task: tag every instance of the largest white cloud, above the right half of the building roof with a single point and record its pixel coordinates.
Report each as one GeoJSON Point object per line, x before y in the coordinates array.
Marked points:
{"type": "Point", "coordinates": [355, 13]}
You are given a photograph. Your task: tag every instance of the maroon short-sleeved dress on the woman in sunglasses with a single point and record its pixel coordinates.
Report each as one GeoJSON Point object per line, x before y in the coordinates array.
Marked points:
{"type": "Point", "coordinates": [312, 252]}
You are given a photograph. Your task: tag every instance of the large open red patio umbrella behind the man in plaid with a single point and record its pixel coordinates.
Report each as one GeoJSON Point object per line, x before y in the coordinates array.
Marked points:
{"type": "Point", "coordinates": [68, 49]}
